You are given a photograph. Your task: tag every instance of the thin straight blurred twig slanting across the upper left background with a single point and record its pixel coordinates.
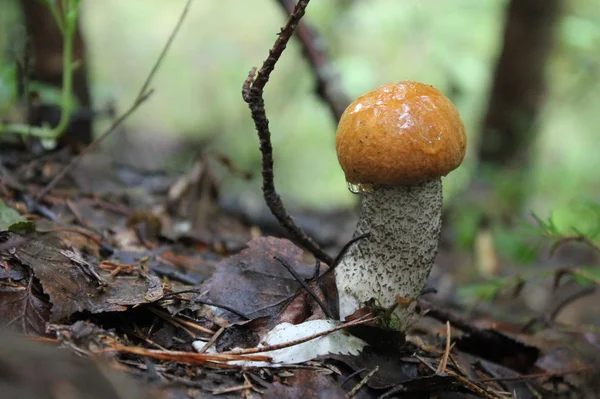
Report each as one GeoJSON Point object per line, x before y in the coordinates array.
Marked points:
{"type": "Point", "coordinates": [142, 96]}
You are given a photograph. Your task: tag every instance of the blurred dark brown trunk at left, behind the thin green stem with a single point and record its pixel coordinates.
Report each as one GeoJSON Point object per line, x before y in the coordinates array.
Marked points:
{"type": "Point", "coordinates": [46, 44]}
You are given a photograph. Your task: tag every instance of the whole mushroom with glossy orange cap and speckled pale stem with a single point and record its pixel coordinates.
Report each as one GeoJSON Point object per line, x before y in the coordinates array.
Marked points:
{"type": "Point", "coordinates": [394, 144]}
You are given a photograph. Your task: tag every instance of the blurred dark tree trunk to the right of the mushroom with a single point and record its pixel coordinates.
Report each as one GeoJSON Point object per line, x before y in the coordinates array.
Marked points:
{"type": "Point", "coordinates": [519, 86]}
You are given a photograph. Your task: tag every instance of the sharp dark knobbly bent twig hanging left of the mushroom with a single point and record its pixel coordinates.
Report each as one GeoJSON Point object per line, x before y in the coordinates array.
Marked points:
{"type": "Point", "coordinates": [252, 92]}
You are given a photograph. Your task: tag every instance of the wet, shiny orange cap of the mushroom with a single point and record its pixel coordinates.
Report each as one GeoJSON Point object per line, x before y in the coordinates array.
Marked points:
{"type": "Point", "coordinates": [400, 134]}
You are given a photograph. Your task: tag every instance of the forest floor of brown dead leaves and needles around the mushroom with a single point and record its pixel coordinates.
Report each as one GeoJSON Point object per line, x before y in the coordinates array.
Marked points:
{"type": "Point", "coordinates": [143, 285]}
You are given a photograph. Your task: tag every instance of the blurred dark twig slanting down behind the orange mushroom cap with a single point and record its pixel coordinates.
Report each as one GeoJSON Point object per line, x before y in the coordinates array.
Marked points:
{"type": "Point", "coordinates": [328, 82]}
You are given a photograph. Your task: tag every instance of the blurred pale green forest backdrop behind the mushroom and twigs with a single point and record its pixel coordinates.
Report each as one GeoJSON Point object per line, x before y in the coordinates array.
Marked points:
{"type": "Point", "coordinates": [452, 44]}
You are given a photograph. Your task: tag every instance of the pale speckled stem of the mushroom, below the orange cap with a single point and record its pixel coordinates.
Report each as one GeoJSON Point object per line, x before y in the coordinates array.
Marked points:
{"type": "Point", "coordinates": [404, 223]}
